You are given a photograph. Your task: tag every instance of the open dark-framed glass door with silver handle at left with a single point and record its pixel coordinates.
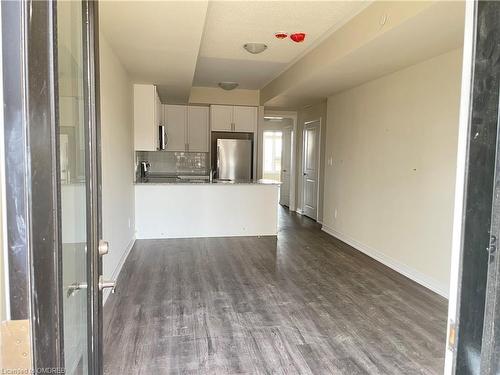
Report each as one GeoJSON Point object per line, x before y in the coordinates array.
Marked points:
{"type": "Point", "coordinates": [50, 53]}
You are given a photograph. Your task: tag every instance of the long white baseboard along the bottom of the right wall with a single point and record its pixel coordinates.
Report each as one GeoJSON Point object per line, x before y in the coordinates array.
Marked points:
{"type": "Point", "coordinates": [417, 276]}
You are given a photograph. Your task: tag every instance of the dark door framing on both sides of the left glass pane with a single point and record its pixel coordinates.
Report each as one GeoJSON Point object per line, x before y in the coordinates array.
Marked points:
{"type": "Point", "coordinates": [32, 184]}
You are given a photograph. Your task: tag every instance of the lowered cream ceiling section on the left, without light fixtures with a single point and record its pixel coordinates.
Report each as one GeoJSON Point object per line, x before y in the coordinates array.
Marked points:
{"type": "Point", "coordinates": [157, 41]}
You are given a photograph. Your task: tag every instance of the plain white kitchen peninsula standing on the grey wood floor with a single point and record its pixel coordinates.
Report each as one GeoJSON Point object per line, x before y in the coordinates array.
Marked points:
{"type": "Point", "coordinates": [206, 209]}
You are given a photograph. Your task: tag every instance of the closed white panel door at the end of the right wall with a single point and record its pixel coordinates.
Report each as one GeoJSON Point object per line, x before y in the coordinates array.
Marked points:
{"type": "Point", "coordinates": [310, 169]}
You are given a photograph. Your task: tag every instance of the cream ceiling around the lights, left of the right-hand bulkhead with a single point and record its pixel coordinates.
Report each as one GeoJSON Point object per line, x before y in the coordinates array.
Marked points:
{"type": "Point", "coordinates": [179, 44]}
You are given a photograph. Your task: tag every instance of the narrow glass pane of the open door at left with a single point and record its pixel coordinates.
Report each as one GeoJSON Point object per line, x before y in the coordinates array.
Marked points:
{"type": "Point", "coordinates": [72, 160]}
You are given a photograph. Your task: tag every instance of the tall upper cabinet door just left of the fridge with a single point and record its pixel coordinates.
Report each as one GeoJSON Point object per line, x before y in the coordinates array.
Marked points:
{"type": "Point", "coordinates": [198, 129]}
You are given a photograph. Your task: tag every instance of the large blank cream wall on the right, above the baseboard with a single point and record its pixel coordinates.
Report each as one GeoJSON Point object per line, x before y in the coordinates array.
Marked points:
{"type": "Point", "coordinates": [393, 144]}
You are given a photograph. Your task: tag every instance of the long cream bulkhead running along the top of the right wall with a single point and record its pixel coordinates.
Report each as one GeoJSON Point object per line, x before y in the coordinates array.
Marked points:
{"type": "Point", "coordinates": [419, 38]}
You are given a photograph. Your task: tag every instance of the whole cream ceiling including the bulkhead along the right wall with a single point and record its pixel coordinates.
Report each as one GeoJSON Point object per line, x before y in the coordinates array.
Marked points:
{"type": "Point", "coordinates": [180, 44]}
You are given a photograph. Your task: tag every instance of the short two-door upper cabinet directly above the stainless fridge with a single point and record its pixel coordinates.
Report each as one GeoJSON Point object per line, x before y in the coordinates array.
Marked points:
{"type": "Point", "coordinates": [233, 118]}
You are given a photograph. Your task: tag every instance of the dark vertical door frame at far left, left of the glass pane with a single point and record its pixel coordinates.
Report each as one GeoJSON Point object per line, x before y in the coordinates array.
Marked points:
{"type": "Point", "coordinates": [31, 181]}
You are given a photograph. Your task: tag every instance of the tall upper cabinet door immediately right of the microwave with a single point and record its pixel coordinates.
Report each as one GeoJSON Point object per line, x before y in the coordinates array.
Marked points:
{"type": "Point", "coordinates": [175, 122]}
